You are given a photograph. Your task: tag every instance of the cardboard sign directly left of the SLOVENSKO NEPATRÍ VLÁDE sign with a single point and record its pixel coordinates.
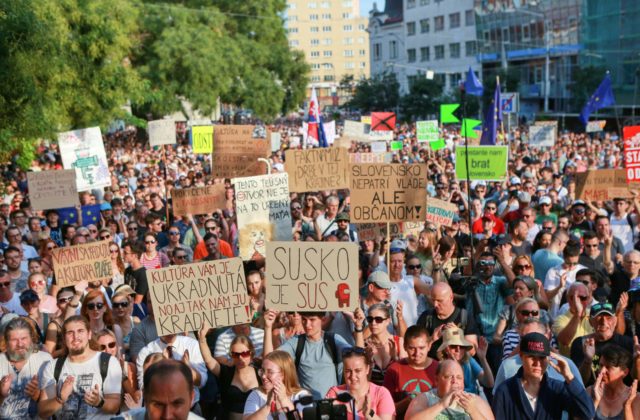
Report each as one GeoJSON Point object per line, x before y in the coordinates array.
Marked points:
{"type": "Point", "coordinates": [317, 169]}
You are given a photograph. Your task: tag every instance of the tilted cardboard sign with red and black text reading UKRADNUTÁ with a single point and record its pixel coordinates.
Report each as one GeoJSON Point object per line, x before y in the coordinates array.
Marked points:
{"type": "Point", "coordinates": [209, 293]}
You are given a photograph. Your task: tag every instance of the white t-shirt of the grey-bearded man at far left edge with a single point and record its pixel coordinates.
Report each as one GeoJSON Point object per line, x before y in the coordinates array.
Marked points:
{"type": "Point", "coordinates": [16, 405]}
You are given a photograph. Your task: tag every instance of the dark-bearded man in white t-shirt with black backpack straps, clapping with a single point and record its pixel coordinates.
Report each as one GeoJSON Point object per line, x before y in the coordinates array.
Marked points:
{"type": "Point", "coordinates": [86, 384]}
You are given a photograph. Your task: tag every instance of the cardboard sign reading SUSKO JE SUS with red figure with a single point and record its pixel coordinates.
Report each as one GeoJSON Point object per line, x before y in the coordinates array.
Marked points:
{"type": "Point", "coordinates": [312, 276]}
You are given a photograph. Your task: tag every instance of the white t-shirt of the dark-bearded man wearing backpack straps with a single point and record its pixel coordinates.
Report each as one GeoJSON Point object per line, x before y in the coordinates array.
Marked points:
{"type": "Point", "coordinates": [86, 374]}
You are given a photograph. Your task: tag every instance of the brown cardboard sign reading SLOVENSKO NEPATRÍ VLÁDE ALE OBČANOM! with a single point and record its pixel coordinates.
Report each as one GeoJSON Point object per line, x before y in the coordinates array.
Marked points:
{"type": "Point", "coordinates": [388, 192]}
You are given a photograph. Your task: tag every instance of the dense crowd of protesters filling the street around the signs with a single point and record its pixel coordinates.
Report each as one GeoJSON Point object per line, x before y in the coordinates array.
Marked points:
{"type": "Point", "coordinates": [526, 306]}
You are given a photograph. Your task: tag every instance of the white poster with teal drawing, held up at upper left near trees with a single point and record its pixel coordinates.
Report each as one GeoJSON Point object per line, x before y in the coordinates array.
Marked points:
{"type": "Point", "coordinates": [83, 151]}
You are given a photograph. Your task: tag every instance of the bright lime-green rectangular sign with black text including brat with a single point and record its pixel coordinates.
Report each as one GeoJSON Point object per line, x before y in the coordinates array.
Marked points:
{"type": "Point", "coordinates": [487, 163]}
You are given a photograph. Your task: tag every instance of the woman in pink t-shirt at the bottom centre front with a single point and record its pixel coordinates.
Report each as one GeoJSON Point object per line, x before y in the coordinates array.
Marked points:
{"type": "Point", "coordinates": [371, 401]}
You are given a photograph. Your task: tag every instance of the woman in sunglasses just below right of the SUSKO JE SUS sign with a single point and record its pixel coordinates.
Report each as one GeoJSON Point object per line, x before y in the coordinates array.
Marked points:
{"type": "Point", "coordinates": [382, 347]}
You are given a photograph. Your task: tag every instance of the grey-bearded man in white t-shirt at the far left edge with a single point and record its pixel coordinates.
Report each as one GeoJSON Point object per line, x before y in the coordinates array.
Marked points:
{"type": "Point", "coordinates": [20, 369]}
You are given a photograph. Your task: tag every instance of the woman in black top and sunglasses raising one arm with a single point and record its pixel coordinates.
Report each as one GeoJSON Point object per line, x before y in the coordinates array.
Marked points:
{"type": "Point", "coordinates": [237, 381]}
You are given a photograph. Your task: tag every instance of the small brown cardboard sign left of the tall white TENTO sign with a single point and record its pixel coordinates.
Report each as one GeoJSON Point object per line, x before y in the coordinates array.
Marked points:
{"type": "Point", "coordinates": [198, 200]}
